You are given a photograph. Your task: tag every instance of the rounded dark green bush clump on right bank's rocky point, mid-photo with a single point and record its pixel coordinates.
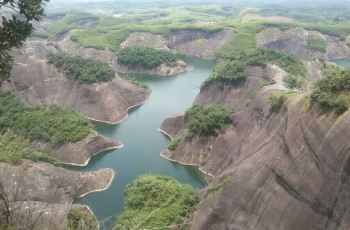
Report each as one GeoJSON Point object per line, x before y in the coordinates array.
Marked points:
{"type": "Point", "coordinates": [208, 121]}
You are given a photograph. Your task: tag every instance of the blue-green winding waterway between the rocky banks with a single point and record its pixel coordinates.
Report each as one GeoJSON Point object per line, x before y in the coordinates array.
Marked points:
{"type": "Point", "coordinates": [143, 143]}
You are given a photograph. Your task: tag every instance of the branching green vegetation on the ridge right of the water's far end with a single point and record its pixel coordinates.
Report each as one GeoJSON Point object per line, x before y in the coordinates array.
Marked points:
{"type": "Point", "coordinates": [242, 50]}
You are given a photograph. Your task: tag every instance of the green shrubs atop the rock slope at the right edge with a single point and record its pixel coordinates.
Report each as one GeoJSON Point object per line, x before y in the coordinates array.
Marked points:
{"type": "Point", "coordinates": [332, 90]}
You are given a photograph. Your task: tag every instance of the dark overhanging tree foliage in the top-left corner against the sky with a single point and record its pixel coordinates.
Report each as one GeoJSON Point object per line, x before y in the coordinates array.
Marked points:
{"type": "Point", "coordinates": [15, 27]}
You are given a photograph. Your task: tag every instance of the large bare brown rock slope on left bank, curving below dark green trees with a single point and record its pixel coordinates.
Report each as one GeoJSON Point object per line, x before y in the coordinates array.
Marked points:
{"type": "Point", "coordinates": [40, 83]}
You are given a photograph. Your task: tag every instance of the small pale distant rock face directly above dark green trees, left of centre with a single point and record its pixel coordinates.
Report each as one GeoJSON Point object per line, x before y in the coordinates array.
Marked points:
{"type": "Point", "coordinates": [145, 39]}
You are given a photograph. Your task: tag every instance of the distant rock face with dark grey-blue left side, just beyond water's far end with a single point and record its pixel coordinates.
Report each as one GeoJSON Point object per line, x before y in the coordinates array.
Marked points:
{"type": "Point", "coordinates": [198, 43]}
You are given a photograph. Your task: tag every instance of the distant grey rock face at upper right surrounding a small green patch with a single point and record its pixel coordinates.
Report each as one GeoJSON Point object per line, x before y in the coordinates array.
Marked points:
{"type": "Point", "coordinates": [294, 41]}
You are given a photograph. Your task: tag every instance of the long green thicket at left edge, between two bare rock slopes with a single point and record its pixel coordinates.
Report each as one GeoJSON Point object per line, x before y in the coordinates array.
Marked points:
{"type": "Point", "coordinates": [50, 124]}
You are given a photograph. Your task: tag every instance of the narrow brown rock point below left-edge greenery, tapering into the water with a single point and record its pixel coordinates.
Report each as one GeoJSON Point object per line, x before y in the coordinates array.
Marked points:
{"type": "Point", "coordinates": [79, 153]}
